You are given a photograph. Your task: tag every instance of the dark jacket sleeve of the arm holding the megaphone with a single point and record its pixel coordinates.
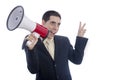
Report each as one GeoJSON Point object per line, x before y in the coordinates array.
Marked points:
{"type": "Point", "coordinates": [31, 58]}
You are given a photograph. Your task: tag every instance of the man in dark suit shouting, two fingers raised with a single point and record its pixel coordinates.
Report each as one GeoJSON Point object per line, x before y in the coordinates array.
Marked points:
{"type": "Point", "coordinates": [52, 63]}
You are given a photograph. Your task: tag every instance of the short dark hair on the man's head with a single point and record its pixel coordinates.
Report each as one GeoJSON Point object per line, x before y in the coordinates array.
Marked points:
{"type": "Point", "coordinates": [47, 14]}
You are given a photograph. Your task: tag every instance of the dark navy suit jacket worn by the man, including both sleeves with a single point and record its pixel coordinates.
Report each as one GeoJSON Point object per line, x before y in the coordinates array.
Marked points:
{"type": "Point", "coordinates": [39, 61]}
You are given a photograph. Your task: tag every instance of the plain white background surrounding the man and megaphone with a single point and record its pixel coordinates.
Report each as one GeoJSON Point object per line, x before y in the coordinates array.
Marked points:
{"type": "Point", "coordinates": [102, 54]}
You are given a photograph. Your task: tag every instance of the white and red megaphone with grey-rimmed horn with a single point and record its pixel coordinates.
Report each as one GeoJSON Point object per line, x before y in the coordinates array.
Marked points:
{"type": "Point", "coordinates": [17, 19]}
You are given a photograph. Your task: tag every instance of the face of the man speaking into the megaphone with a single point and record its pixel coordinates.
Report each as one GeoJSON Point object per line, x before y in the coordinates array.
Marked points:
{"type": "Point", "coordinates": [52, 25]}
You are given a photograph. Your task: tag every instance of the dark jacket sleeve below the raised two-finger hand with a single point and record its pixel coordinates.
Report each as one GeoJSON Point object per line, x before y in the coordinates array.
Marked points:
{"type": "Point", "coordinates": [76, 54]}
